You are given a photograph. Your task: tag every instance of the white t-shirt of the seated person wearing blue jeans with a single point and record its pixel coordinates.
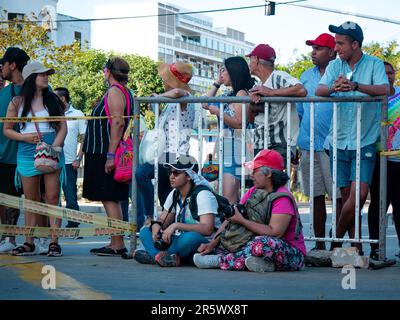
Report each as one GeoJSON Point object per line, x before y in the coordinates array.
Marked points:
{"type": "Point", "coordinates": [206, 203]}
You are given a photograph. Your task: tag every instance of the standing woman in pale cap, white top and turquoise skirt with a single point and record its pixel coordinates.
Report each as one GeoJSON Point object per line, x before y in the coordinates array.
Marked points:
{"type": "Point", "coordinates": [37, 100]}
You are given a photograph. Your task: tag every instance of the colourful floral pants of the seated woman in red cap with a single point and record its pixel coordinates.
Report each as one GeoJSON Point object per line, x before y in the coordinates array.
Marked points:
{"type": "Point", "coordinates": [285, 257]}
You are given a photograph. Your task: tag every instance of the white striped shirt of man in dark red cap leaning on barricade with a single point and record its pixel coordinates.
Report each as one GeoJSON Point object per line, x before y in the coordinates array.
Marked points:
{"type": "Point", "coordinates": [277, 119]}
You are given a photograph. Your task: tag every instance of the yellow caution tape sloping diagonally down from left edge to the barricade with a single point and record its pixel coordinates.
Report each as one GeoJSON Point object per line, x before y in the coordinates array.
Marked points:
{"type": "Point", "coordinates": [64, 213]}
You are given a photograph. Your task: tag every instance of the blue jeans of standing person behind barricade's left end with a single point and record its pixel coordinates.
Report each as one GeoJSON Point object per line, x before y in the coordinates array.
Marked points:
{"type": "Point", "coordinates": [143, 175]}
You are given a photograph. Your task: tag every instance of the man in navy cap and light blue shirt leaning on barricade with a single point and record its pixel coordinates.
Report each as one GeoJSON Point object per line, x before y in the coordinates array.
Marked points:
{"type": "Point", "coordinates": [354, 74]}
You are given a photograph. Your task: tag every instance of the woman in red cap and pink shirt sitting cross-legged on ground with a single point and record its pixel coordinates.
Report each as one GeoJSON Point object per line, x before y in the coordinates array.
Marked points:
{"type": "Point", "coordinates": [263, 241]}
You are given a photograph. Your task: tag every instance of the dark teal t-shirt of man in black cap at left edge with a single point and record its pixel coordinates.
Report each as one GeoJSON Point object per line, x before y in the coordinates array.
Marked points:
{"type": "Point", "coordinates": [8, 148]}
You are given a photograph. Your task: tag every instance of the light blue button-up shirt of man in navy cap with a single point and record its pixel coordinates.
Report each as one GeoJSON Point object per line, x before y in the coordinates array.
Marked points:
{"type": "Point", "coordinates": [369, 71]}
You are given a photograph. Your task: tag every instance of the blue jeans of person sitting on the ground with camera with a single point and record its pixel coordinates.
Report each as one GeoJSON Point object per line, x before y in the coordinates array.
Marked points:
{"type": "Point", "coordinates": [185, 244]}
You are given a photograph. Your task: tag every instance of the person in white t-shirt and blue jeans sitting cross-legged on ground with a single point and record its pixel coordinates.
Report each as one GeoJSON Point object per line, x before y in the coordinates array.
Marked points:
{"type": "Point", "coordinates": [178, 232]}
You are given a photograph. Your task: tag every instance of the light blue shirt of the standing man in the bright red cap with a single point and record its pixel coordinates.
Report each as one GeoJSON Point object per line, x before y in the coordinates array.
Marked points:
{"type": "Point", "coordinates": [322, 113]}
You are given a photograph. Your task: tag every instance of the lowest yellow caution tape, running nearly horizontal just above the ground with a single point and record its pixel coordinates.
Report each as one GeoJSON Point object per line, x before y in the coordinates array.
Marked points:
{"type": "Point", "coordinates": [57, 232]}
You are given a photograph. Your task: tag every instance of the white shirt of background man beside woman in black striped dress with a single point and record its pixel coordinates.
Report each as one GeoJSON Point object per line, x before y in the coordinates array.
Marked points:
{"type": "Point", "coordinates": [75, 129]}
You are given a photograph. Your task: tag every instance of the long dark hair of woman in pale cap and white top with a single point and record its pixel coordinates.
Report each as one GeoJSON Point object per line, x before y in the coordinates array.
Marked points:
{"type": "Point", "coordinates": [51, 102]}
